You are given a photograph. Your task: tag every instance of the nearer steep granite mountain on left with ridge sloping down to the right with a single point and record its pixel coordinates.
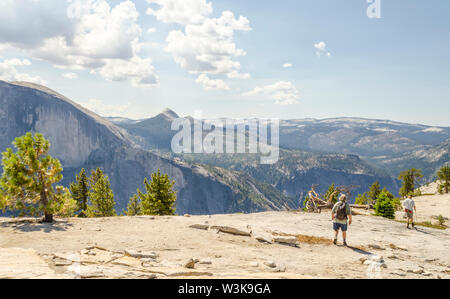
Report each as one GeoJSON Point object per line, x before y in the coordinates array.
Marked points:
{"type": "Point", "coordinates": [82, 139]}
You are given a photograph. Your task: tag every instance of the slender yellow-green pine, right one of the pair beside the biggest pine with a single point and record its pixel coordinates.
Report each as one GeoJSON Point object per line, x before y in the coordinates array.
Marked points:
{"type": "Point", "coordinates": [101, 197]}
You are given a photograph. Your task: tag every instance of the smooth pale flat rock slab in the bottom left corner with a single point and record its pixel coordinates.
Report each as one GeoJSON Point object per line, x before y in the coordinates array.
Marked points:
{"type": "Point", "coordinates": [19, 263]}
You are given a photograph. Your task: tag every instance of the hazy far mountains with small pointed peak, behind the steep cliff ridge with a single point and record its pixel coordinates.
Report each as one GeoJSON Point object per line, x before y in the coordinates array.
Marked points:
{"type": "Point", "coordinates": [388, 146]}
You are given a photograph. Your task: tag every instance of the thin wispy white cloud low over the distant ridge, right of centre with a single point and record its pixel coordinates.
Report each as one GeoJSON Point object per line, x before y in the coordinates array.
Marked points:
{"type": "Point", "coordinates": [284, 92]}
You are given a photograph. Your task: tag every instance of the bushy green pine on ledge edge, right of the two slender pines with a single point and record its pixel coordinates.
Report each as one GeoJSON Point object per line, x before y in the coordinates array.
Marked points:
{"type": "Point", "coordinates": [159, 198]}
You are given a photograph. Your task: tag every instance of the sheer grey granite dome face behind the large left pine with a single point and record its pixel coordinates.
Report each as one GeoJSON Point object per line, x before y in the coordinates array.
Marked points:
{"type": "Point", "coordinates": [74, 133]}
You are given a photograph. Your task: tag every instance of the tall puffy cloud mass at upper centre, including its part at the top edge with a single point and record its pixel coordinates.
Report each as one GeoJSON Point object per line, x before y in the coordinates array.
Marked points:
{"type": "Point", "coordinates": [206, 45]}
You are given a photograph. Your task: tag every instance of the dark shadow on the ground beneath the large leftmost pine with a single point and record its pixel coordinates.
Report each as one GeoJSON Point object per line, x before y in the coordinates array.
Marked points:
{"type": "Point", "coordinates": [36, 225]}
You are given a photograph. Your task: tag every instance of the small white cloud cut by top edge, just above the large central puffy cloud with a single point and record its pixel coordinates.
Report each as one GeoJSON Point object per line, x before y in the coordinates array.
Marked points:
{"type": "Point", "coordinates": [181, 11]}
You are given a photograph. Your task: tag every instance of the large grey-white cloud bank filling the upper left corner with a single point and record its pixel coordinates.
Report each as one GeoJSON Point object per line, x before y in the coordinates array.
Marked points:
{"type": "Point", "coordinates": [94, 36]}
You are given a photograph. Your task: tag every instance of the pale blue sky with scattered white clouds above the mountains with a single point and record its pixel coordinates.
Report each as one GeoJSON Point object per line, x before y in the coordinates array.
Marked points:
{"type": "Point", "coordinates": [285, 59]}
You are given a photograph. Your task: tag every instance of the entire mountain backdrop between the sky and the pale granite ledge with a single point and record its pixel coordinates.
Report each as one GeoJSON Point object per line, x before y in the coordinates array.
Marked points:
{"type": "Point", "coordinates": [344, 151]}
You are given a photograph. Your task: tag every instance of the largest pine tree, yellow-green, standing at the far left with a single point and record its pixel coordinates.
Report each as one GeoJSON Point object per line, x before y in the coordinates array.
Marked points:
{"type": "Point", "coordinates": [28, 179]}
